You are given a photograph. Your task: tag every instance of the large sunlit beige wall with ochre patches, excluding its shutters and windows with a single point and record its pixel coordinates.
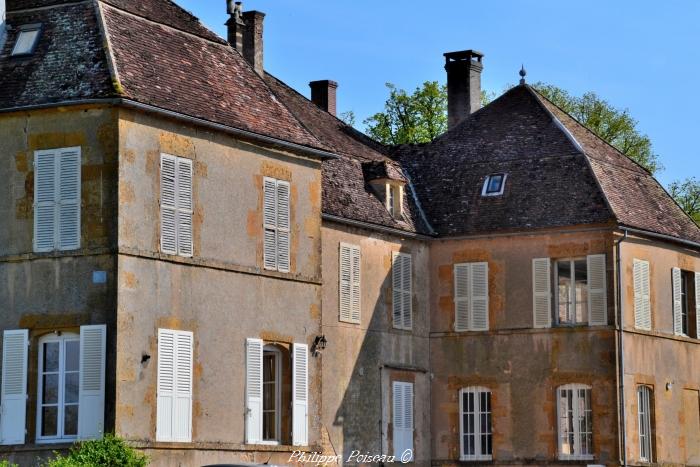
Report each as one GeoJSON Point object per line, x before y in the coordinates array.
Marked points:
{"type": "Point", "coordinates": [223, 294]}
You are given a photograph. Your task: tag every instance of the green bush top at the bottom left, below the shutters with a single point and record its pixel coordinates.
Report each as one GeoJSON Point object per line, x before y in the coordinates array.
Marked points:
{"type": "Point", "coordinates": [107, 452]}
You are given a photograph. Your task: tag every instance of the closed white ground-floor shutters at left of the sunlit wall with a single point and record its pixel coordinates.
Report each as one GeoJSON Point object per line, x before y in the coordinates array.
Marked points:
{"type": "Point", "coordinates": [174, 406]}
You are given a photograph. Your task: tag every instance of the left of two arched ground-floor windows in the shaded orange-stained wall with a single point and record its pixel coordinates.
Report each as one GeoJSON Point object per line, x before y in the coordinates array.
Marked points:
{"type": "Point", "coordinates": [476, 441]}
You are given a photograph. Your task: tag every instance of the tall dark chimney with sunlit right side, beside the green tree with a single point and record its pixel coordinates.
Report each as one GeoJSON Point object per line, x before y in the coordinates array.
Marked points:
{"type": "Point", "coordinates": [463, 84]}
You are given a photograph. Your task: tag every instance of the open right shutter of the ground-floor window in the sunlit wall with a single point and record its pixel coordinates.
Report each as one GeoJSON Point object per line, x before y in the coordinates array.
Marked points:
{"type": "Point", "coordinates": [300, 395]}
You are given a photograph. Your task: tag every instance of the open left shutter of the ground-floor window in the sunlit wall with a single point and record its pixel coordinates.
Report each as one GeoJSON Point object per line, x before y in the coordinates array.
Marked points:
{"type": "Point", "coordinates": [254, 389]}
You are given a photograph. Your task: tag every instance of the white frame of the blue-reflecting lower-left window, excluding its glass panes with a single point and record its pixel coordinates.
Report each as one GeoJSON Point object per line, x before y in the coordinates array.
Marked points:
{"type": "Point", "coordinates": [60, 417]}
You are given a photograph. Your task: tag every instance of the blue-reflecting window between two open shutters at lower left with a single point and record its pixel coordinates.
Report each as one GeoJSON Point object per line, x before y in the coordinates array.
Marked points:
{"type": "Point", "coordinates": [58, 387]}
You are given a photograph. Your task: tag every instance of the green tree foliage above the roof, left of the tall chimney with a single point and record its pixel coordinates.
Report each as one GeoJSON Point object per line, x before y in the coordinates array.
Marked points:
{"type": "Point", "coordinates": [410, 118]}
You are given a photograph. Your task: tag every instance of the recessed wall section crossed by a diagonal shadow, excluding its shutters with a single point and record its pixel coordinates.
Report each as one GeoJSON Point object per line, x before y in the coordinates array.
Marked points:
{"type": "Point", "coordinates": [362, 360]}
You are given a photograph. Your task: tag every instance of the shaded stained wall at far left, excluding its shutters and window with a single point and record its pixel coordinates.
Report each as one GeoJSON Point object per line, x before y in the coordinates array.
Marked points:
{"type": "Point", "coordinates": [50, 292]}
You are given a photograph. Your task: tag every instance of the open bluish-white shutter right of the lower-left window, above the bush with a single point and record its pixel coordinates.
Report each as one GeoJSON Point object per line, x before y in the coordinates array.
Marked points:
{"type": "Point", "coordinates": [93, 345]}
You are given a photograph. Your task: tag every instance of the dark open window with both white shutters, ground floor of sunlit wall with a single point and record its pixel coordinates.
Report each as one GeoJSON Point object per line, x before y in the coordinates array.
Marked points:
{"type": "Point", "coordinates": [274, 381]}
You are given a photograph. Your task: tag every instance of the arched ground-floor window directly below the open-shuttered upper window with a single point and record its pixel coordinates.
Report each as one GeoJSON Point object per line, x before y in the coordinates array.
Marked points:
{"type": "Point", "coordinates": [575, 422]}
